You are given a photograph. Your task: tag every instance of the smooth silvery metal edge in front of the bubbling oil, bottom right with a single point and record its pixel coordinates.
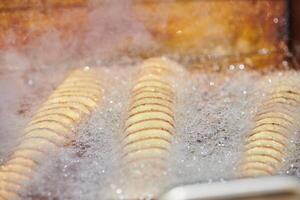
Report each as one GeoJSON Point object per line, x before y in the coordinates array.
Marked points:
{"type": "Point", "coordinates": [276, 187]}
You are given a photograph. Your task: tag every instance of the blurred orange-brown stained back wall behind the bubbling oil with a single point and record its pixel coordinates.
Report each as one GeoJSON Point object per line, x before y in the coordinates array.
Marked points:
{"type": "Point", "coordinates": [189, 31]}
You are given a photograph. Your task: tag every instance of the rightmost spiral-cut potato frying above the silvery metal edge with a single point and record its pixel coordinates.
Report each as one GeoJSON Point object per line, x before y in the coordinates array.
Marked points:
{"type": "Point", "coordinates": [266, 145]}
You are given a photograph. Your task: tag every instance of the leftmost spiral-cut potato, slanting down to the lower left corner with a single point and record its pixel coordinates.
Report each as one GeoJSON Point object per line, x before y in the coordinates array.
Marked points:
{"type": "Point", "coordinates": [50, 129]}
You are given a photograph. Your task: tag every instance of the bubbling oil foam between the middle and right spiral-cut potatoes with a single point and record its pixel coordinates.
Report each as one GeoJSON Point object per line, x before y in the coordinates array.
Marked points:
{"type": "Point", "coordinates": [215, 113]}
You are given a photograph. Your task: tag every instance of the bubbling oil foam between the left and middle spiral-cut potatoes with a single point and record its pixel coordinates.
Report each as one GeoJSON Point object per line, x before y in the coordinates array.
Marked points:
{"type": "Point", "coordinates": [80, 171]}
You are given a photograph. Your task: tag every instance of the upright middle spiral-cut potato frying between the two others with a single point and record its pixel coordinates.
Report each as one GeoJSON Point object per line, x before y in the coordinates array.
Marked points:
{"type": "Point", "coordinates": [150, 124]}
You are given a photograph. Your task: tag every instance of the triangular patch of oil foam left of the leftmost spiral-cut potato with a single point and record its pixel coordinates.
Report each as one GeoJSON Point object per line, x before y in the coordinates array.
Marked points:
{"type": "Point", "coordinates": [22, 92]}
